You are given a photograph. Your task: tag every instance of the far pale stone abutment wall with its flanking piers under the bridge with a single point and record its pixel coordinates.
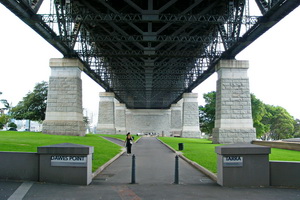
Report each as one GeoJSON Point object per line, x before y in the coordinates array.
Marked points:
{"type": "Point", "coordinates": [181, 119]}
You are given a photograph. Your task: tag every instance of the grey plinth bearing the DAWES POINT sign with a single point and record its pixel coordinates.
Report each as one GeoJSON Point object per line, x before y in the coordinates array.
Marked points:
{"type": "Point", "coordinates": [66, 164]}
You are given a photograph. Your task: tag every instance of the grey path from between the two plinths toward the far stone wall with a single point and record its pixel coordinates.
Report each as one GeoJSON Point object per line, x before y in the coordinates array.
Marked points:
{"type": "Point", "coordinates": [155, 164]}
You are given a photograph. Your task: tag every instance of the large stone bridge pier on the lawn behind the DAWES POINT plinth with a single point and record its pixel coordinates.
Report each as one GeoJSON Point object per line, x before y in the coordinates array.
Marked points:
{"type": "Point", "coordinates": [64, 102]}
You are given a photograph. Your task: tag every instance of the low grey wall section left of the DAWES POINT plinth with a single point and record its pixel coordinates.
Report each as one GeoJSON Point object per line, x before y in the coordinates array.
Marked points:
{"type": "Point", "coordinates": [19, 166]}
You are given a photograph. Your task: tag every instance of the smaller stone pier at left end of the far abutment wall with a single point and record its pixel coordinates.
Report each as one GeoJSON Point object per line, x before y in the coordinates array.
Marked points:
{"type": "Point", "coordinates": [106, 117]}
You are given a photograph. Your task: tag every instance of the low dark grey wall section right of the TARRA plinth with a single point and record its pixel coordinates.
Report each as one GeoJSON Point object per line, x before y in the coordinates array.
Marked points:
{"type": "Point", "coordinates": [285, 174]}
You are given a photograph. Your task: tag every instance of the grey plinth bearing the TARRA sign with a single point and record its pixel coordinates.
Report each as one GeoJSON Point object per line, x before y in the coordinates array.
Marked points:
{"type": "Point", "coordinates": [242, 165]}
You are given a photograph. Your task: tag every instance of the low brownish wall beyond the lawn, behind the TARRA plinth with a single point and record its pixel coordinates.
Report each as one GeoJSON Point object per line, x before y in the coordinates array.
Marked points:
{"type": "Point", "coordinates": [279, 144]}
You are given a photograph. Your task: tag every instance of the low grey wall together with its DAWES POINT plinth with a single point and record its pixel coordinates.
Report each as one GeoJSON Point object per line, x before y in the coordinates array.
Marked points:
{"type": "Point", "coordinates": [61, 163]}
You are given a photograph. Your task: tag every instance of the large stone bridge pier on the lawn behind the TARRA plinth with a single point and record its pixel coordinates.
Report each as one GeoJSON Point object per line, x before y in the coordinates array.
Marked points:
{"type": "Point", "coordinates": [233, 121]}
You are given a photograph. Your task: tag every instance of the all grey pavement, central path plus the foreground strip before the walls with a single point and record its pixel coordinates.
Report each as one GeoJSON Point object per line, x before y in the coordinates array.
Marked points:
{"type": "Point", "coordinates": [155, 165]}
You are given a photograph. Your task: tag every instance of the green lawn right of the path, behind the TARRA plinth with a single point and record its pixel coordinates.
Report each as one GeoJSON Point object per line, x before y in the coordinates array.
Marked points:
{"type": "Point", "coordinates": [202, 151]}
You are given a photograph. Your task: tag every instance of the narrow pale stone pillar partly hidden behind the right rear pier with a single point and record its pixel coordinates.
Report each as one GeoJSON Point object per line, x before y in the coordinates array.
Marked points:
{"type": "Point", "coordinates": [176, 119]}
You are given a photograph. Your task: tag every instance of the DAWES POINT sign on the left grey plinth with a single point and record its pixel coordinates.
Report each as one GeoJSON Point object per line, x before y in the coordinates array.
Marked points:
{"type": "Point", "coordinates": [68, 161]}
